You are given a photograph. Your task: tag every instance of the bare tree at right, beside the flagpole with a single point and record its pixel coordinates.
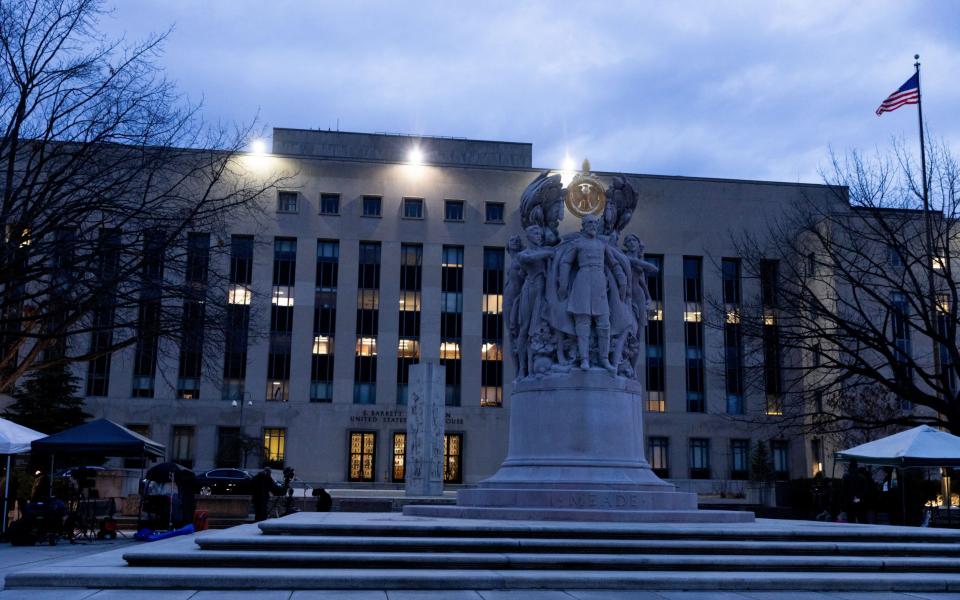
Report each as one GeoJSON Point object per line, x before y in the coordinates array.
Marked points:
{"type": "Point", "coordinates": [855, 326]}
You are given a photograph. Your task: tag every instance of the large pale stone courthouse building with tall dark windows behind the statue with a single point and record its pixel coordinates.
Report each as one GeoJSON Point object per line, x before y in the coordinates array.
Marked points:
{"type": "Point", "coordinates": [366, 262]}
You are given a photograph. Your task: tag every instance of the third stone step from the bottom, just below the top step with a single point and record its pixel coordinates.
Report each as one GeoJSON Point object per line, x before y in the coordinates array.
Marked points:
{"type": "Point", "coordinates": [571, 546]}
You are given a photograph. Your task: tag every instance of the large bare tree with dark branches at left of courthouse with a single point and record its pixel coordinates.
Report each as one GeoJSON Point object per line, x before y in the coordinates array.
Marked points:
{"type": "Point", "coordinates": [114, 196]}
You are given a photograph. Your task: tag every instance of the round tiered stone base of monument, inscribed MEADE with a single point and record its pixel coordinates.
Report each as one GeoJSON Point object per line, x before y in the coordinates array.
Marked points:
{"type": "Point", "coordinates": [576, 452]}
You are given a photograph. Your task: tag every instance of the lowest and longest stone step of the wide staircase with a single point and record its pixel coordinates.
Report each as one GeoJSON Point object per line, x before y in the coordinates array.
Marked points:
{"type": "Point", "coordinates": [429, 579]}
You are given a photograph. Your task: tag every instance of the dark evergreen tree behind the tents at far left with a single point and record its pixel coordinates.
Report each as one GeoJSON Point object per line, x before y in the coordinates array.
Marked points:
{"type": "Point", "coordinates": [48, 401]}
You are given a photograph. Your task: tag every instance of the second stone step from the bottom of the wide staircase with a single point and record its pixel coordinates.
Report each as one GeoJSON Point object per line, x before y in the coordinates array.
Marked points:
{"type": "Point", "coordinates": [546, 562]}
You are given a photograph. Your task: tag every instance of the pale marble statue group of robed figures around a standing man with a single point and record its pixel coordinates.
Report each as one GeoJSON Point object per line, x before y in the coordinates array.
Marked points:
{"type": "Point", "coordinates": [576, 300]}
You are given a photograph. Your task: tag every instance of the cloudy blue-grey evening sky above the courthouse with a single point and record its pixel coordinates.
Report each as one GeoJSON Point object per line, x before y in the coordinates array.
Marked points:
{"type": "Point", "coordinates": [758, 89]}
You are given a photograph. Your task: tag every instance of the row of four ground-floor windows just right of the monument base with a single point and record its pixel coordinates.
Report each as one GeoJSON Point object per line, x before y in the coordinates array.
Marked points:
{"type": "Point", "coordinates": [699, 465]}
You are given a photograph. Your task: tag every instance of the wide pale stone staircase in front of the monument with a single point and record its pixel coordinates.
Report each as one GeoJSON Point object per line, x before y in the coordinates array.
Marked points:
{"type": "Point", "coordinates": [392, 551]}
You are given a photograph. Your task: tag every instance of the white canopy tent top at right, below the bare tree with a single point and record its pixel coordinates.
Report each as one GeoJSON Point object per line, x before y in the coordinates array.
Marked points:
{"type": "Point", "coordinates": [921, 446]}
